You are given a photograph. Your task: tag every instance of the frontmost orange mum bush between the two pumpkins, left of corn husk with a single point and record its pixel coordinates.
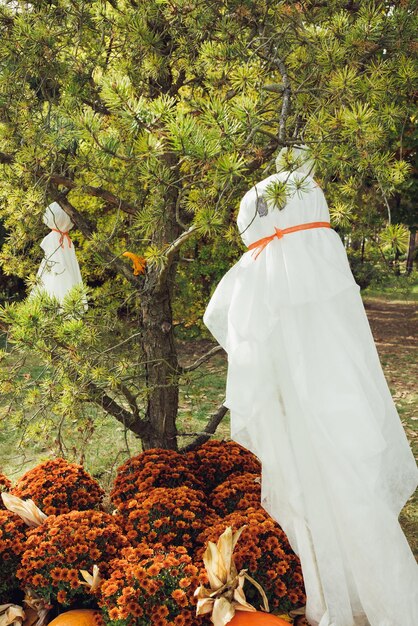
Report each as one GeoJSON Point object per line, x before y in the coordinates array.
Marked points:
{"type": "Point", "coordinates": [151, 587]}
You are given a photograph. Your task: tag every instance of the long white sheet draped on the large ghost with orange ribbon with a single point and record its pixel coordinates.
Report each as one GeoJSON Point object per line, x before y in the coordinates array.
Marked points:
{"type": "Point", "coordinates": [307, 395]}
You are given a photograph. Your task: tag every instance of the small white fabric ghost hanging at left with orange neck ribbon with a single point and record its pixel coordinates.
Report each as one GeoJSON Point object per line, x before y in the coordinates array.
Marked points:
{"type": "Point", "coordinates": [59, 270]}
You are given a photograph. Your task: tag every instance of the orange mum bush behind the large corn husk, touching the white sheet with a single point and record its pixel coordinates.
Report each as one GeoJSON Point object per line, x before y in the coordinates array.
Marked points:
{"type": "Point", "coordinates": [265, 552]}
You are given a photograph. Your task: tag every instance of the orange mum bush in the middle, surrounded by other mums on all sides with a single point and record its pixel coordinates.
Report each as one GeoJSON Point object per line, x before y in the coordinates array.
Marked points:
{"type": "Point", "coordinates": [168, 516]}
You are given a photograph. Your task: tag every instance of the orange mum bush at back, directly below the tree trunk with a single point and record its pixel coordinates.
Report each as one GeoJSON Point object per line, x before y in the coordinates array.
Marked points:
{"type": "Point", "coordinates": [152, 468]}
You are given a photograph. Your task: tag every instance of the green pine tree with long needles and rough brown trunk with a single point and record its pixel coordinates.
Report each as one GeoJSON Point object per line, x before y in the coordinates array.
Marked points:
{"type": "Point", "coordinates": [147, 120]}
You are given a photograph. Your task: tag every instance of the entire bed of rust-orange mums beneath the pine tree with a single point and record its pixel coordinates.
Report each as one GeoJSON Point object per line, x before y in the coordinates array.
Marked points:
{"type": "Point", "coordinates": [144, 551]}
